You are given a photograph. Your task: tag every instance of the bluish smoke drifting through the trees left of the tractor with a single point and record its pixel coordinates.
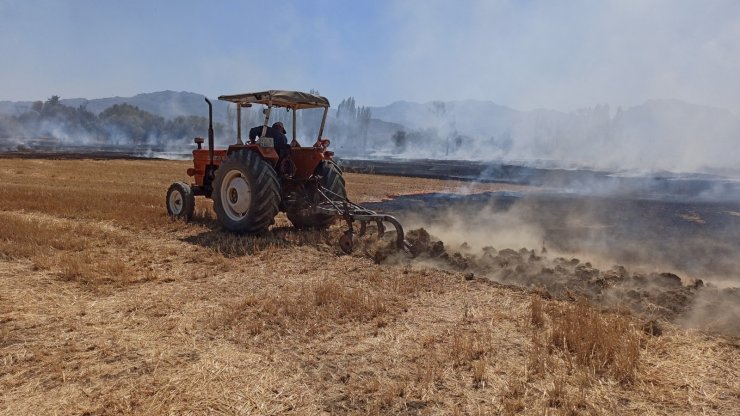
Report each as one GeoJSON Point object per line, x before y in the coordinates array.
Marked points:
{"type": "Point", "coordinates": [120, 128]}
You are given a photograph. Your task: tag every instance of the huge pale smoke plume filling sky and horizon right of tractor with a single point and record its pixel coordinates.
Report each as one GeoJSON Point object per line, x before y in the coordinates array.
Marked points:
{"type": "Point", "coordinates": [620, 77]}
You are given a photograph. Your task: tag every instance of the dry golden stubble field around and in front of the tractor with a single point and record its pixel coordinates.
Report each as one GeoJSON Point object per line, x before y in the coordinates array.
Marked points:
{"type": "Point", "coordinates": [109, 307]}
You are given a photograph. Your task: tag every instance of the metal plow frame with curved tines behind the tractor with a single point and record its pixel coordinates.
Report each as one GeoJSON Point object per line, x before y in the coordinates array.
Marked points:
{"type": "Point", "coordinates": [351, 212]}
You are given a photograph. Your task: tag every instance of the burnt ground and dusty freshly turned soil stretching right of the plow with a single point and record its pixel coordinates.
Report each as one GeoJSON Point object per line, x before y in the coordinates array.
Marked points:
{"type": "Point", "coordinates": [663, 260]}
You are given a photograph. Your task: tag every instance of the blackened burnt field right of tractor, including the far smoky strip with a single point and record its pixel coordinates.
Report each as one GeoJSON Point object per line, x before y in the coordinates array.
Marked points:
{"type": "Point", "coordinates": [687, 224]}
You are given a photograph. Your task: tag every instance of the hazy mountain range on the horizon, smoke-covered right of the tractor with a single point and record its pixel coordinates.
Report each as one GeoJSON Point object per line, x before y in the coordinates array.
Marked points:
{"type": "Point", "coordinates": [657, 134]}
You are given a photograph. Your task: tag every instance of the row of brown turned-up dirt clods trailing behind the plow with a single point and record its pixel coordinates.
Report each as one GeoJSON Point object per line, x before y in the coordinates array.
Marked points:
{"type": "Point", "coordinates": [654, 296]}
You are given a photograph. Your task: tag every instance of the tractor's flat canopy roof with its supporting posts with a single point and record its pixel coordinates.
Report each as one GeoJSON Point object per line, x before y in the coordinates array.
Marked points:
{"type": "Point", "coordinates": [294, 100]}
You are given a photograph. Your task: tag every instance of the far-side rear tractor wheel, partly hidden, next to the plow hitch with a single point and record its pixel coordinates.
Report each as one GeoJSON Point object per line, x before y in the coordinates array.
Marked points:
{"type": "Point", "coordinates": [331, 179]}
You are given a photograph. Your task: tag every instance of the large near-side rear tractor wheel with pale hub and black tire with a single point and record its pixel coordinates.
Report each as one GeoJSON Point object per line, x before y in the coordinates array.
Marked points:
{"type": "Point", "coordinates": [246, 193]}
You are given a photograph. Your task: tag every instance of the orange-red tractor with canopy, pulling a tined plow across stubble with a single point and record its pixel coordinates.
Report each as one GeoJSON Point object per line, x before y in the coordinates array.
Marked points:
{"type": "Point", "coordinates": [251, 182]}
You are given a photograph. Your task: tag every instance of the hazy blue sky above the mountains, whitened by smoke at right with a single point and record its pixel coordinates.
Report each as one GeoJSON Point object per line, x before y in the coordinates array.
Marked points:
{"type": "Point", "coordinates": [525, 54]}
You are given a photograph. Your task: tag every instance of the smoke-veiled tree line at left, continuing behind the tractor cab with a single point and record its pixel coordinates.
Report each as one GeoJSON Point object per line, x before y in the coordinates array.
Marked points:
{"type": "Point", "coordinates": [128, 125]}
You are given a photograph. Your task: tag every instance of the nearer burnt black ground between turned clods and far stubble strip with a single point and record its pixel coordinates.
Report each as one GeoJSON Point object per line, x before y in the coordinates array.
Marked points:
{"type": "Point", "coordinates": [699, 239]}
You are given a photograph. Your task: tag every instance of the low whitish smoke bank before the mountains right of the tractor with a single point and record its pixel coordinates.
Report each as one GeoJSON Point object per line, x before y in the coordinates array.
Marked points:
{"type": "Point", "coordinates": [660, 135]}
